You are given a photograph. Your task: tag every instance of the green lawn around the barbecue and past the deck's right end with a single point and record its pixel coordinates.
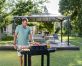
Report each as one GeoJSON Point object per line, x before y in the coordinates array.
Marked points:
{"type": "Point", "coordinates": [58, 58]}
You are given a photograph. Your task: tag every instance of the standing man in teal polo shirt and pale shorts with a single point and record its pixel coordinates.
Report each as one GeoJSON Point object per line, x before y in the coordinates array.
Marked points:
{"type": "Point", "coordinates": [21, 37]}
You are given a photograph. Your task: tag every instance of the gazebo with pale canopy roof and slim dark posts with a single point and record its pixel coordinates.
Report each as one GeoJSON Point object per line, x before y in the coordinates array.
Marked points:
{"type": "Point", "coordinates": [46, 18]}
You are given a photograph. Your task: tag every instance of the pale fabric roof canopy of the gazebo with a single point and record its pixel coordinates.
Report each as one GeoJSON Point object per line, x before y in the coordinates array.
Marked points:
{"type": "Point", "coordinates": [43, 17]}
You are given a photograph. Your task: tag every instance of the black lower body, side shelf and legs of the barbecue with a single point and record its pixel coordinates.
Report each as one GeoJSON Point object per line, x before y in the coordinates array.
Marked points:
{"type": "Point", "coordinates": [37, 52]}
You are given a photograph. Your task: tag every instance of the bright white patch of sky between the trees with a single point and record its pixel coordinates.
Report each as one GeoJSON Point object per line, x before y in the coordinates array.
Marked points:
{"type": "Point", "coordinates": [53, 7]}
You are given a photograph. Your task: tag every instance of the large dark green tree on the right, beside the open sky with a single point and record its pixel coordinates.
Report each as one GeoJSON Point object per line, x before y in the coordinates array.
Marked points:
{"type": "Point", "coordinates": [73, 8]}
